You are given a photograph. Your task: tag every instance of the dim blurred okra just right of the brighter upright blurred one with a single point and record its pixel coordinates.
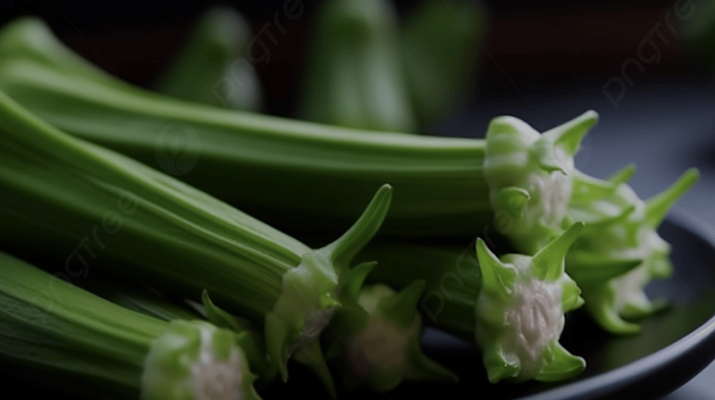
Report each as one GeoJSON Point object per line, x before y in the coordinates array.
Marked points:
{"type": "Point", "coordinates": [439, 46]}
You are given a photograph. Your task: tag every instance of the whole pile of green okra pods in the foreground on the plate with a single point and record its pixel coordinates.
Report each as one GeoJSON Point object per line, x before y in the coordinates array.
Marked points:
{"type": "Point", "coordinates": [87, 168]}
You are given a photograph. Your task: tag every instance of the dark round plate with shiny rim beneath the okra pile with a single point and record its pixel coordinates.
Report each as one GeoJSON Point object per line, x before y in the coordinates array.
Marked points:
{"type": "Point", "coordinates": [673, 347]}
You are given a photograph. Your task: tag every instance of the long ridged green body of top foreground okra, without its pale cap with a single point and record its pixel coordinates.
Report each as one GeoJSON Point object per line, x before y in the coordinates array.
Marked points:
{"type": "Point", "coordinates": [256, 162]}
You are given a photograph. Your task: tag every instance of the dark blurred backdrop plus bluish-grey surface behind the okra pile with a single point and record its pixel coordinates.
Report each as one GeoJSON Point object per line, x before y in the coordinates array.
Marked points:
{"type": "Point", "coordinates": [644, 66]}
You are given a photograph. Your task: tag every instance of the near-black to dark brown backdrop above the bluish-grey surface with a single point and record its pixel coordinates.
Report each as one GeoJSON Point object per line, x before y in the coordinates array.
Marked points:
{"type": "Point", "coordinates": [532, 48]}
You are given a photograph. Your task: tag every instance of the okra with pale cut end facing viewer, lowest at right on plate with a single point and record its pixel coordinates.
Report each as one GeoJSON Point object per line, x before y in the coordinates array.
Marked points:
{"type": "Point", "coordinates": [512, 306]}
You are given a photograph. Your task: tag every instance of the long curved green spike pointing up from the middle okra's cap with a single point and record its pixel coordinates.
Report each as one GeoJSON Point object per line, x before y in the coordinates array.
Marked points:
{"type": "Point", "coordinates": [347, 246]}
